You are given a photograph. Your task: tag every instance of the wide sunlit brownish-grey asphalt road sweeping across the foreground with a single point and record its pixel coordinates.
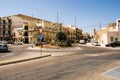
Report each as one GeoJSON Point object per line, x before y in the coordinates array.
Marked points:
{"type": "Point", "coordinates": [87, 63]}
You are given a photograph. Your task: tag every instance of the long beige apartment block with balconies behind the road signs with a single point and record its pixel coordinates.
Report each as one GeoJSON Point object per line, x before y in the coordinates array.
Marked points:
{"type": "Point", "coordinates": [29, 32]}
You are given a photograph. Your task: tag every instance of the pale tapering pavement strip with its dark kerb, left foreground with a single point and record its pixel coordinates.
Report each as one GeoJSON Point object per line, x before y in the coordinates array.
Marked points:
{"type": "Point", "coordinates": [22, 57]}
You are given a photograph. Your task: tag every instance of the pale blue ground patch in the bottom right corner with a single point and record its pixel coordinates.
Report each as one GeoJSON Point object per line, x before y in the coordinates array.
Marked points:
{"type": "Point", "coordinates": [114, 73]}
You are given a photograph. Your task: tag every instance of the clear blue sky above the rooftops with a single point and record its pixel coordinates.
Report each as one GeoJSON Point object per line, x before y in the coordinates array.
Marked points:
{"type": "Point", "coordinates": [89, 14]}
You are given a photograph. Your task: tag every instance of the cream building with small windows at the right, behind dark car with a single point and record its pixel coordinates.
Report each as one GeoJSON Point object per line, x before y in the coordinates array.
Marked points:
{"type": "Point", "coordinates": [109, 34]}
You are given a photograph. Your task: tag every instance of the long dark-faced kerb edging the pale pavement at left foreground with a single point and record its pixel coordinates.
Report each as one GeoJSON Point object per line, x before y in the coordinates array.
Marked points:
{"type": "Point", "coordinates": [23, 60]}
